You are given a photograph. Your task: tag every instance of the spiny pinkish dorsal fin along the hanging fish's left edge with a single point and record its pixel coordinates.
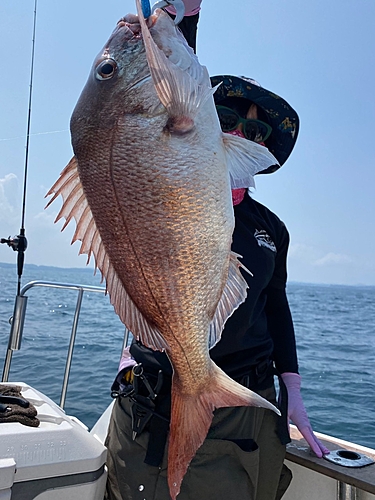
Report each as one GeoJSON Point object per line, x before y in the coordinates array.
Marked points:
{"type": "Point", "coordinates": [75, 205]}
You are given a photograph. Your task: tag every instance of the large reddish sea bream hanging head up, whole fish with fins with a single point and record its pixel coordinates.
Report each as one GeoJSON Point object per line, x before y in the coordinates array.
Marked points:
{"type": "Point", "coordinates": [150, 189]}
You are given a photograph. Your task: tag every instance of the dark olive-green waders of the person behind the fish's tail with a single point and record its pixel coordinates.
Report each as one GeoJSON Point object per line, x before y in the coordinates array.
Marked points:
{"type": "Point", "coordinates": [241, 458]}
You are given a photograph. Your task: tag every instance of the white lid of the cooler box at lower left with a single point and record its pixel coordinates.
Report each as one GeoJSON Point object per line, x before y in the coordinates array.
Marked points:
{"type": "Point", "coordinates": [60, 446]}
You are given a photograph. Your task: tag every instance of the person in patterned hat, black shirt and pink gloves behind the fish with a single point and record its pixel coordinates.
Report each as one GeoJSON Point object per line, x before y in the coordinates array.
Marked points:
{"type": "Point", "coordinates": [243, 454]}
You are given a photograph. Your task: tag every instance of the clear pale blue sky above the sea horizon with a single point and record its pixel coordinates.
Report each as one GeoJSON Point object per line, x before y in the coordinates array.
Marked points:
{"type": "Point", "coordinates": [318, 55]}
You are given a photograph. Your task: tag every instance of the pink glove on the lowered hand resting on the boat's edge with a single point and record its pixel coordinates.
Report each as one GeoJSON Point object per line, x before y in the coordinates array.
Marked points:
{"type": "Point", "coordinates": [297, 413]}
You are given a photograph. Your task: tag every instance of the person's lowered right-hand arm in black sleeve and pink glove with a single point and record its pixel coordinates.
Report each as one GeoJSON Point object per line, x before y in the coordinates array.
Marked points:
{"type": "Point", "coordinates": [281, 329]}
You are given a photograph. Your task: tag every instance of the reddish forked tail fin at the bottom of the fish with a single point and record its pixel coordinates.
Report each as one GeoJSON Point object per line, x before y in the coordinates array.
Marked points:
{"type": "Point", "coordinates": [191, 418]}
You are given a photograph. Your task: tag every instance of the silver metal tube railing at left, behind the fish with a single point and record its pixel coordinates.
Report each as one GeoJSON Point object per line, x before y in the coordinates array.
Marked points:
{"type": "Point", "coordinates": [18, 319]}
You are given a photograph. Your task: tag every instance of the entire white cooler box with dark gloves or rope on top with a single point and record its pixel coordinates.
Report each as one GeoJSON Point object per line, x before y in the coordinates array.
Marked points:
{"type": "Point", "coordinates": [59, 460]}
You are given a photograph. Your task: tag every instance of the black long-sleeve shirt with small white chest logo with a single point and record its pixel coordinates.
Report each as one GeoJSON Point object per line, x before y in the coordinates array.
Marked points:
{"type": "Point", "coordinates": [262, 326]}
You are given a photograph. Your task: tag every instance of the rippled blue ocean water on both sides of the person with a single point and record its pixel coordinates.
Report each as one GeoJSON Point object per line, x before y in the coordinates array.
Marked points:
{"type": "Point", "coordinates": [335, 332]}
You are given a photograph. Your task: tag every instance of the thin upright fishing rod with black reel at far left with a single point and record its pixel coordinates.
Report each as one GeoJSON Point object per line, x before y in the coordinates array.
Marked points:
{"type": "Point", "coordinates": [19, 243]}
